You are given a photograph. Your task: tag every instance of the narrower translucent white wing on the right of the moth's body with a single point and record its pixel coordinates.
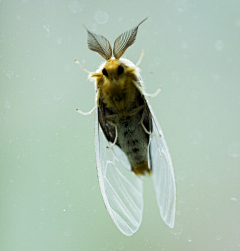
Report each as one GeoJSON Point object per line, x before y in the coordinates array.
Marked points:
{"type": "Point", "coordinates": [162, 174]}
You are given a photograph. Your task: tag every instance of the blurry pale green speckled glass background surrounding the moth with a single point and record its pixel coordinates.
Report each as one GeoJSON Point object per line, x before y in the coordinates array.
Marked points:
{"type": "Point", "coordinates": [50, 199]}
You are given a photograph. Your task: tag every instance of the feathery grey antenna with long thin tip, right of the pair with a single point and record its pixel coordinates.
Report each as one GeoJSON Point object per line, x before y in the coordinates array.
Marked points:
{"type": "Point", "coordinates": [124, 41]}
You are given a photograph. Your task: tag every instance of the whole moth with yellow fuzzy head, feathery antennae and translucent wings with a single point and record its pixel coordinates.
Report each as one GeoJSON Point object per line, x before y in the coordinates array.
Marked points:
{"type": "Point", "coordinates": [129, 142]}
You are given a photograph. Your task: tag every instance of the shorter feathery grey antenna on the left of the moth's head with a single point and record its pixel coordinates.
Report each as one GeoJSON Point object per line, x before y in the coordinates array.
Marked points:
{"type": "Point", "coordinates": [99, 44]}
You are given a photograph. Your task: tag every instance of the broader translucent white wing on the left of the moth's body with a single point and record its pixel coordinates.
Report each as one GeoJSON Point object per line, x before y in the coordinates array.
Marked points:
{"type": "Point", "coordinates": [121, 189]}
